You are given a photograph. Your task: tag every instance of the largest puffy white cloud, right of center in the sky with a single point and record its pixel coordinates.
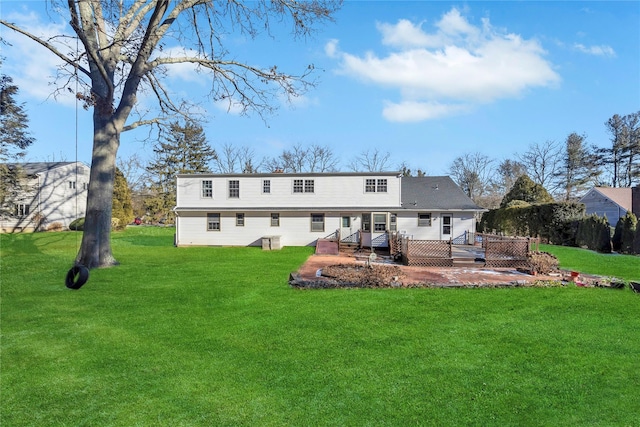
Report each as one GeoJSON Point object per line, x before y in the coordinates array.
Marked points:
{"type": "Point", "coordinates": [457, 64]}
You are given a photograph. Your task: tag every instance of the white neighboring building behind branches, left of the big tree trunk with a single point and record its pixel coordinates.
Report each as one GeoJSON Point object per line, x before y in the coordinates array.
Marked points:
{"type": "Point", "coordinates": [55, 192]}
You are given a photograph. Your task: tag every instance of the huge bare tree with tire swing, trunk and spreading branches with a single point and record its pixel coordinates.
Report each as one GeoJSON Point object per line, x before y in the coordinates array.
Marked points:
{"type": "Point", "coordinates": [122, 51]}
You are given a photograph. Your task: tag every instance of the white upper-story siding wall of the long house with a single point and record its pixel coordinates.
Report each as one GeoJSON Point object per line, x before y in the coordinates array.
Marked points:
{"type": "Point", "coordinates": [329, 191]}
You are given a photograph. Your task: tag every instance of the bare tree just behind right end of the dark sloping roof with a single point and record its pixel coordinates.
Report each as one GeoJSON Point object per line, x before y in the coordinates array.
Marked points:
{"type": "Point", "coordinates": [474, 173]}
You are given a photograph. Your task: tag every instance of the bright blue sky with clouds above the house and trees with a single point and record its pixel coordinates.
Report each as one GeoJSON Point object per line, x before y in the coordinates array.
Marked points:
{"type": "Point", "coordinates": [426, 81]}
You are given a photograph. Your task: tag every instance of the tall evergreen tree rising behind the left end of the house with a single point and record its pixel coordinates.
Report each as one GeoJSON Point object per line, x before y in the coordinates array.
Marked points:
{"type": "Point", "coordinates": [184, 149]}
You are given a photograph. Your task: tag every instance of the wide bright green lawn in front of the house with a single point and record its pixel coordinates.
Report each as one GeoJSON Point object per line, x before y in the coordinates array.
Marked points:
{"type": "Point", "coordinates": [216, 337]}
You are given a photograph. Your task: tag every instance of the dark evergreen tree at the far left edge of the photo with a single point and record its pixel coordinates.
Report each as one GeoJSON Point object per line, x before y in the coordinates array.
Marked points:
{"type": "Point", "coordinates": [14, 139]}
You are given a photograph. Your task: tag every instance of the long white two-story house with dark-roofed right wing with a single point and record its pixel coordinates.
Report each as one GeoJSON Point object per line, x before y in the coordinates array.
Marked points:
{"type": "Point", "coordinates": [298, 209]}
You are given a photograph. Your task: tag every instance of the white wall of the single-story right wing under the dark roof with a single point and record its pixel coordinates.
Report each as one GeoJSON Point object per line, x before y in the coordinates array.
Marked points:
{"type": "Point", "coordinates": [461, 222]}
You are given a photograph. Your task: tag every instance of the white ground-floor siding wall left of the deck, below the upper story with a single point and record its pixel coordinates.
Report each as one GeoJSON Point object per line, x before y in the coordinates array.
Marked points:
{"type": "Point", "coordinates": [294, 229]}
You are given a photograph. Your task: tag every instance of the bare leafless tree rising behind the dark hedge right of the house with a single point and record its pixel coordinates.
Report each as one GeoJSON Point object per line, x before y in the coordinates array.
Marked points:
{"type": "Point", "coordinates": [542, 163]}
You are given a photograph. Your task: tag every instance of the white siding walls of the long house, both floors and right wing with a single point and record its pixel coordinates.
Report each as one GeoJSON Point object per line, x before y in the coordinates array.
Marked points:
{"type": "Point", "coordinates": [334, 195]}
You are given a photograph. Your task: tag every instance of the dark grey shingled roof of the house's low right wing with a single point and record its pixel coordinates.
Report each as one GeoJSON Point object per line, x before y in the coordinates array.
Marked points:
{"type": "Point", "coordinates": [434, 193]}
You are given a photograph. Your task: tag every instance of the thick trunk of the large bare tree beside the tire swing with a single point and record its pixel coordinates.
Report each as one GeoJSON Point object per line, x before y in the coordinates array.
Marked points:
{"type": "Point", "coordinates": [95, 250]}
